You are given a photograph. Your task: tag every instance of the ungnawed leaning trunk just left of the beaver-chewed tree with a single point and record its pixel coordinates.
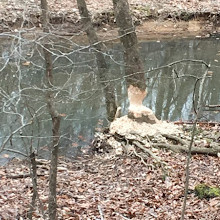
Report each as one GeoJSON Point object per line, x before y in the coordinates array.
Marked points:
{"type": "Point", "coordinates": [101, 62]}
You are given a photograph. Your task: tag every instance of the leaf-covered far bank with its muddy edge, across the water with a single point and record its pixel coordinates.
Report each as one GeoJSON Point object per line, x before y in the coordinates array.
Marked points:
{"type": "Point", "coordinates": [155, 19]}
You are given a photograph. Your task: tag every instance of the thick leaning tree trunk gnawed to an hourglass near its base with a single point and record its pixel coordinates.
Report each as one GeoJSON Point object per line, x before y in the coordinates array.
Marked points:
{"type": "Point", "coordinates": [134, 68]}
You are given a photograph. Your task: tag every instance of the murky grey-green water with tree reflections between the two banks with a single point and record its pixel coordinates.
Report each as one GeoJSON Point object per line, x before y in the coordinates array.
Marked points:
{"type": "Point", "coordinates": [79, 97]}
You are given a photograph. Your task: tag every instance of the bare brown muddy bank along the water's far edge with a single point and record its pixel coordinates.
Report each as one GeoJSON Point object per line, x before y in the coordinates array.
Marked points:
{"type": "Point", "coordinates": [155, 30]}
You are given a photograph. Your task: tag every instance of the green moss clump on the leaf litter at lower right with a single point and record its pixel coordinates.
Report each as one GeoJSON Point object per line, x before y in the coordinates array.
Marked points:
{"type": "Point", "coordinates": [204, 191]}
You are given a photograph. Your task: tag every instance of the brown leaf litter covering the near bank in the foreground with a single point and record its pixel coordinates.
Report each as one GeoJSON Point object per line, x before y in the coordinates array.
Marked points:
{"type": "Point", "coordinates": [109, 186]}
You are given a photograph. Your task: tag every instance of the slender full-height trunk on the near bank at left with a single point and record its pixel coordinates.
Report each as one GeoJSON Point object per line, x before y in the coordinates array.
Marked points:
{"type": "Point", "coordinates": [54, 116]}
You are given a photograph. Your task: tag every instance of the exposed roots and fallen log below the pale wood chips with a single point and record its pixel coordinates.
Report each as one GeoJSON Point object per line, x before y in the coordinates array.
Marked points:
{"type": "Point", "coordinates": [143, 147]}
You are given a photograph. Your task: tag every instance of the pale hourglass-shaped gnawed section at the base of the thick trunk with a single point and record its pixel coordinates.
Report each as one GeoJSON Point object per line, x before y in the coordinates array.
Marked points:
{"type": "Point", "coordinates": [137, 111]}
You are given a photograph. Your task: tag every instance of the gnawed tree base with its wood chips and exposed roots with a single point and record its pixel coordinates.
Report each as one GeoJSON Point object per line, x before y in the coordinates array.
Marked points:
{"type": "Point", "coordinates": [137, 133]}
